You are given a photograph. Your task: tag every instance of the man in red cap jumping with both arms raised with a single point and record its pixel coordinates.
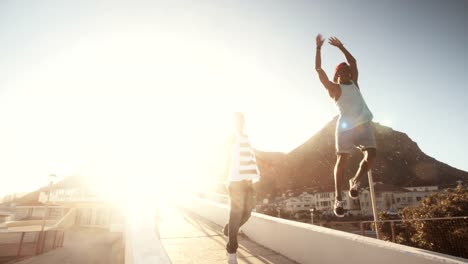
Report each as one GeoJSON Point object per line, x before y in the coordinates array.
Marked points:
{"type": "Point", "coordinates": [354, 125]}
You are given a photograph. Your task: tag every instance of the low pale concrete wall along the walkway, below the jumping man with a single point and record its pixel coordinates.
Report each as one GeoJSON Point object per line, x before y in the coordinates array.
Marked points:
{"type": "Point", "coordinates": [307, 243]}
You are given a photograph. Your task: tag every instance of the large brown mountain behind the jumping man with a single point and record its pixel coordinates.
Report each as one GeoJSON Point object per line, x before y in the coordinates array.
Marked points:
{"type": "Point", "coordinates": [399, 162]}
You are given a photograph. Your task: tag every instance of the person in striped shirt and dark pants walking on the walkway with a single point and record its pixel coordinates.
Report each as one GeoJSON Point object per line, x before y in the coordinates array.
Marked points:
{"type": "Point", "coordinates": [243, 172]}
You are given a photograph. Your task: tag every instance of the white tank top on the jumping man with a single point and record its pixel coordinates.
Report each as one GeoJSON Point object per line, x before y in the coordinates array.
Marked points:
{"type": "Point", "coordinates": [352, 108]}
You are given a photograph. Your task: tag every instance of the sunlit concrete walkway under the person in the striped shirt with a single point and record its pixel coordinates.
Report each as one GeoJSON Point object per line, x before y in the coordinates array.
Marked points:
{"type": "Point", "coordinates": [188, 238]}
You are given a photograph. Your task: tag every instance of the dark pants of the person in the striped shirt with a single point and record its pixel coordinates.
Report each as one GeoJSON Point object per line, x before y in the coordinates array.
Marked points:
{"type": "Point", "coordinates": [241, 195]}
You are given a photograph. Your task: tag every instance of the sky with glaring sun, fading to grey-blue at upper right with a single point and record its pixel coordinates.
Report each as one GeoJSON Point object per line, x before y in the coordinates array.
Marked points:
{"type": "Point", "coordinates": [142, 92]}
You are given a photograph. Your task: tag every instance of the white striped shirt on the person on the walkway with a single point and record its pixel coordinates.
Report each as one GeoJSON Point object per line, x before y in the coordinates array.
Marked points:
{"type": "Point", "coordinates": [243, 163]}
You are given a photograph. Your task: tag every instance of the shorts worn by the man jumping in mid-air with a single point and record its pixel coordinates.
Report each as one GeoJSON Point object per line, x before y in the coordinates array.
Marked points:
{"type": "Point", "coordinates": [361, 137]}
